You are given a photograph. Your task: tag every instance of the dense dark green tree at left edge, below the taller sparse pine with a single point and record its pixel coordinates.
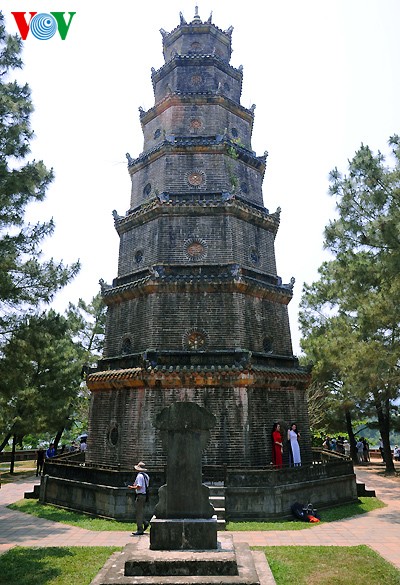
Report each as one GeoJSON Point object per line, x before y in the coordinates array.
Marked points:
{"type": "Point", "coordinates": [40, 376]}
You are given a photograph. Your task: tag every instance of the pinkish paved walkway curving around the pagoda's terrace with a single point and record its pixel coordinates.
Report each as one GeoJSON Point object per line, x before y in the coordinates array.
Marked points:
{"type": "Point", "coordinates": [379, 529]}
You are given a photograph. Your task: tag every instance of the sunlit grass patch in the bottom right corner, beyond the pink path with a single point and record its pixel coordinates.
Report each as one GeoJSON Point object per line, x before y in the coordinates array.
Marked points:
{"type": "Point", "coordinates": [329, 565]}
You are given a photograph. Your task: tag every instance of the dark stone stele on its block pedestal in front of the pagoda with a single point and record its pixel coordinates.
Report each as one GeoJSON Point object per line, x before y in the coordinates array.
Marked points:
{"type": "Point", "coordinates": [184, 517]}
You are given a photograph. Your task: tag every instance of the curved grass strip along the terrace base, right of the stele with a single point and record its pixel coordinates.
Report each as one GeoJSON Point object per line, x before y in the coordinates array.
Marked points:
{"type": "Point", "coordinates": [330, 515]}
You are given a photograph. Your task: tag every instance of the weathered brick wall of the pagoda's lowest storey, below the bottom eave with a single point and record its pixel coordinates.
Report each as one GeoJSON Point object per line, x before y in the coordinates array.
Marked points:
{"type": "Point", "coordinates": [242, 436]}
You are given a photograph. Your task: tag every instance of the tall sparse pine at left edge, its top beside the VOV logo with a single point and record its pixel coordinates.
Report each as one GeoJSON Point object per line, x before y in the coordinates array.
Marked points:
{"type": "Point", "coordinates": [25, 279]}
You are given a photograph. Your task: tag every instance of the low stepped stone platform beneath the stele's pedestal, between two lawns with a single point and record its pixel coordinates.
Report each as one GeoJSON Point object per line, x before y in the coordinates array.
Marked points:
{"type": "Point", "coordinates": [228, 565]}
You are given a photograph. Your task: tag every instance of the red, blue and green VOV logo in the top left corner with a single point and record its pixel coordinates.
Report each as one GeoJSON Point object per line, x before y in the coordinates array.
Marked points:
{"type": "Point", "coordinates": [44, 25]}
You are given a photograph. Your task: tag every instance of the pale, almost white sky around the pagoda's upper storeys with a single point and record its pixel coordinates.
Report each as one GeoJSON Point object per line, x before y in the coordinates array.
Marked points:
{"type": "Point", "coordinates": [324, 75]}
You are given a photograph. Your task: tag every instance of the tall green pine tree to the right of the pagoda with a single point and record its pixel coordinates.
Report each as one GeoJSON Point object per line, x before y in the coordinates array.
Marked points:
{"type": "Point", "coordinates": [353, 310]}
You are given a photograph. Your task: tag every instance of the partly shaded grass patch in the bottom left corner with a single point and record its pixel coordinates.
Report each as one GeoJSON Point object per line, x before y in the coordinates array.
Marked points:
{"type": "Point", "coordinates": [53, 566]}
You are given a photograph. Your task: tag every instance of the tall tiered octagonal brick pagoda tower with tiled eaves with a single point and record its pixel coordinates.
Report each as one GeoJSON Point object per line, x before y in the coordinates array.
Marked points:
{"type": "Point", "coordinates": [197, 311]}
